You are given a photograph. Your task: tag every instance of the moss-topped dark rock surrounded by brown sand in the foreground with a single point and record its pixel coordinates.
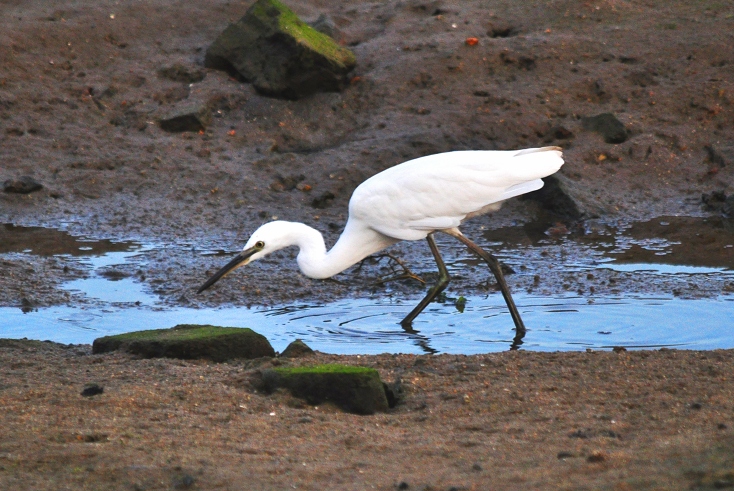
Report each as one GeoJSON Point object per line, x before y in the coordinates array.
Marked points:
{"type": "Point", "coordinates": [354, 389]}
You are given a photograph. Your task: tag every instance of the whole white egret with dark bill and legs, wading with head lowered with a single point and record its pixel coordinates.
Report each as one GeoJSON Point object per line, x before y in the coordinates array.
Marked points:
{"type": "Point", "coordinates": [411, 201]}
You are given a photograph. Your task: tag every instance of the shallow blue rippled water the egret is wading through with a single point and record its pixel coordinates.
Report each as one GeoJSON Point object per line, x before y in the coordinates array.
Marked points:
{"type": "Point", "coordinates": [371, 325]}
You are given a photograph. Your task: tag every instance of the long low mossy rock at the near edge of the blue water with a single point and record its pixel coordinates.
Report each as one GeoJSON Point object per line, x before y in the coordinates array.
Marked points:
{"type": "Point", "coordinates": [189, 341]}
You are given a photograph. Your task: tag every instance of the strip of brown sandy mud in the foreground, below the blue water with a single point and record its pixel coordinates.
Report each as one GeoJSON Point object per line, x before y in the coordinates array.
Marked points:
{"type": "Point", "coordinates": [594, 420]}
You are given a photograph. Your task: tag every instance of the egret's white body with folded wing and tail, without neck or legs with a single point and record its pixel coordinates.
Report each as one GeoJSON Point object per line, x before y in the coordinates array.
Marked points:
{"type": "Point", "coordinates": [439, 191]}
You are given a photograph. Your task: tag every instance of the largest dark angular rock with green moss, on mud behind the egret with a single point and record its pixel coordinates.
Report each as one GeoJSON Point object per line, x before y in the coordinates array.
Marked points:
{"type": "Point", "coordinates": [280, 54]}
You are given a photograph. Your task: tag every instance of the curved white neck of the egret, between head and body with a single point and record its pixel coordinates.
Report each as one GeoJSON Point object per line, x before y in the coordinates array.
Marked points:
{"type": "Point", "coordinates": [354, 244]}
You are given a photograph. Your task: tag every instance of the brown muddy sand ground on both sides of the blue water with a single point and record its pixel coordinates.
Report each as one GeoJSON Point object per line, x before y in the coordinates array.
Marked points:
{"type": "Point", "coordinates": [80, 94]}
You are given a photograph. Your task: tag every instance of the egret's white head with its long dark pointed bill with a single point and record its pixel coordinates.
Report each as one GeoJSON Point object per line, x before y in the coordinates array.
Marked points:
{"type": "Point", "coordinates": [268, 238]}
